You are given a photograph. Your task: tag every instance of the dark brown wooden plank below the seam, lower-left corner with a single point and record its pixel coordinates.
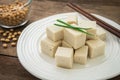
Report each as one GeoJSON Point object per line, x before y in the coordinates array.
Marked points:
{"type": "Point", "coordinates": [11, 69]}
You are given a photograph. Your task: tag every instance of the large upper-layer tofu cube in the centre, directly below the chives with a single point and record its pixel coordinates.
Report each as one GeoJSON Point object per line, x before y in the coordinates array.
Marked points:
{"type": "Point", "coordinates": [75, 38]}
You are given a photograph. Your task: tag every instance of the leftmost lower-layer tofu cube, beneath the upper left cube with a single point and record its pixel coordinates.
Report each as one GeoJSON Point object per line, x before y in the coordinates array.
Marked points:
{"type": "Point", "coordinates": [49, 47]}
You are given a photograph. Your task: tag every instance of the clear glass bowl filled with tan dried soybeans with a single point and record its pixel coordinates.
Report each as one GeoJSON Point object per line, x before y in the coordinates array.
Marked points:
{"type": "Point", "coordinates": [14, 13]}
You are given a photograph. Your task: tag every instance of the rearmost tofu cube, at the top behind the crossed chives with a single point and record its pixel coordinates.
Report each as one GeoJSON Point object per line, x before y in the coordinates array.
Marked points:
{"type": "Point", "coordinates": [71, 19]}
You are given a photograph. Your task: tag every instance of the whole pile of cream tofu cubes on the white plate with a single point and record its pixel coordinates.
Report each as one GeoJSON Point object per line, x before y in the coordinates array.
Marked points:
{"type": "Point", "coordinates": [68, 46]}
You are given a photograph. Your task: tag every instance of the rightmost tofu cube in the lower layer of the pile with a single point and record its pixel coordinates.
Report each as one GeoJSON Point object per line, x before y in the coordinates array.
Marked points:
{"type": "Point", "coordinates": [95, 48]}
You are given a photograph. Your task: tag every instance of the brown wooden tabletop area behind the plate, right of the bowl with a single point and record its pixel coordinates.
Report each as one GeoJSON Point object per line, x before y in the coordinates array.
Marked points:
{"type": "Point", "coordinates": [107, 8]}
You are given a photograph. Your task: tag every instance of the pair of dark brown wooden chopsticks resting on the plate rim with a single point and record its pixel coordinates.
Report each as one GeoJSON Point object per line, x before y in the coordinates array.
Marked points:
{"type": "Point", "coordinates": [103, 24]}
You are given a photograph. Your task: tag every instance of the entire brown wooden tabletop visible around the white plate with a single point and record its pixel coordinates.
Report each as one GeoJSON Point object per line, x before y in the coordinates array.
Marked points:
{"type": "Point", "coordinates": [10, 67]}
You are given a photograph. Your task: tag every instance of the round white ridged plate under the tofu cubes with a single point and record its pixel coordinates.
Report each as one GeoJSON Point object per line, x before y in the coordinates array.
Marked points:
{"type": "Point", "coordinates": [43, 67]}
